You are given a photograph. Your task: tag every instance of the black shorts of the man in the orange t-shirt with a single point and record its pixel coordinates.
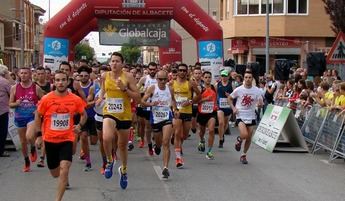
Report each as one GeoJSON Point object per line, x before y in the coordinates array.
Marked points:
{"type": "Point", "coordinates": [57, 152]}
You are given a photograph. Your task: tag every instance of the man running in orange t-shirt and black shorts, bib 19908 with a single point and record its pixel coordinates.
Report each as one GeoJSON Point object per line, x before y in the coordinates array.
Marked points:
{"type": "Point", "coordinates": [57, 109]}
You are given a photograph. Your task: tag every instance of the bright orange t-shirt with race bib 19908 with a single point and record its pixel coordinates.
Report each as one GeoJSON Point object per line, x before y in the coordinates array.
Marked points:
{"type": "Point", "coordinates": [58, 112]}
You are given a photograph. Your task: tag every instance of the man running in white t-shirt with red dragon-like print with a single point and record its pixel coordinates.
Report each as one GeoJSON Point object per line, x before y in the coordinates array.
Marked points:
{"type": "Point", "coordinates": [248, 97]}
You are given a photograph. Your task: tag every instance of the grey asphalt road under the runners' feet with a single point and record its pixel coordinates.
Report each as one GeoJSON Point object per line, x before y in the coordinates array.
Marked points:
{"type": "Point", "coordinates": [268, 176]}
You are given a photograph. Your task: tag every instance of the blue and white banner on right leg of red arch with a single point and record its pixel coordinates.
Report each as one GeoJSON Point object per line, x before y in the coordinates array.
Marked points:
{"type": "Point", "coordinates": [211, 57]}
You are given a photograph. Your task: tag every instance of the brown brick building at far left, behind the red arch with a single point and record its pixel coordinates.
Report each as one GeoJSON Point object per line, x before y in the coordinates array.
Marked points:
{"type": "Point", "coordinates": [21, 15]}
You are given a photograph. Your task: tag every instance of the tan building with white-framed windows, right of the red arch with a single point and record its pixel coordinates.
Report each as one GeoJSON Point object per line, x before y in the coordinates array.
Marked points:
{"type": "Point", "coordinates": [296, 28]}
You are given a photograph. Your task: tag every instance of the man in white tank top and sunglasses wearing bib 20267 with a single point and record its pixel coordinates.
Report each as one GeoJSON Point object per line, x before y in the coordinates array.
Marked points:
{"type": "Point", "coordinates": [160, 98]}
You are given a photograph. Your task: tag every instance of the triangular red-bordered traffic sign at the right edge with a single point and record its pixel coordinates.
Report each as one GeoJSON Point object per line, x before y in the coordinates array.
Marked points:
{"type": "Point", "coordinates": [337, 54]}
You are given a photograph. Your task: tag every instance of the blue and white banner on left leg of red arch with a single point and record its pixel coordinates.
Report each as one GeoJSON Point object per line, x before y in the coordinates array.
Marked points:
{"type": "Point", "coordinates": [55, 51]}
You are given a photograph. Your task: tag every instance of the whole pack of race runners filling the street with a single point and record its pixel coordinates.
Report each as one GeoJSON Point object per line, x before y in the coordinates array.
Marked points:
{"type": "Point", "coordinates": [161, 107]}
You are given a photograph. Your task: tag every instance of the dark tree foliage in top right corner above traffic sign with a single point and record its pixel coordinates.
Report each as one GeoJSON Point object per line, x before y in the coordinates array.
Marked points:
{"type": "Point", "coordinates": [336, 10]}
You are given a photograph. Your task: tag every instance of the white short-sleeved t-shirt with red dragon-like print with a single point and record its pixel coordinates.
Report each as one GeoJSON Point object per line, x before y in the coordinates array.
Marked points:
{"type": "Point", "coordinates": [247, 99]}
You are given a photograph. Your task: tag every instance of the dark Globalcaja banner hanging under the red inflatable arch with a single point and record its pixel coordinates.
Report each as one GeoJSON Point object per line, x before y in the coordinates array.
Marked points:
{"type": "Point", "coordinates": [144, 33]}
